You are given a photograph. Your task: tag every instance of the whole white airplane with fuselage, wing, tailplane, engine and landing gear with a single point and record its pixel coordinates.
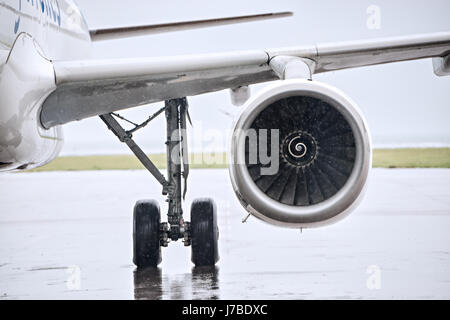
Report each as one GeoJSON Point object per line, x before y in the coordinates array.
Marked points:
{"type": "Point", "coordinates": [300, 152]}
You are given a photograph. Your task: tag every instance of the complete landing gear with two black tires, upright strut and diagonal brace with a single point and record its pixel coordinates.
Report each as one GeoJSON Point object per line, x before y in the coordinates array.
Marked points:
{"type": "Point", "coordinates": [149, 233]}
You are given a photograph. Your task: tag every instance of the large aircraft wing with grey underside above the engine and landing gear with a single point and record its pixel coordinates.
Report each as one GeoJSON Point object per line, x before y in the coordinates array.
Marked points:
{"type": "Point", "coordinates": [94, 87]}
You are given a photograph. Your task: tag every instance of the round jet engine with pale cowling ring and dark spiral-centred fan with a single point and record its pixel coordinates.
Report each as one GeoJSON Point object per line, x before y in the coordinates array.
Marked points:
{"type": "Point", "coordinates": [322, 145]}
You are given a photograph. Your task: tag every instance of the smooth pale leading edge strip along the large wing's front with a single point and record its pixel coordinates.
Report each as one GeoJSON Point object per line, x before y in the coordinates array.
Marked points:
{"type": "Point", "coordinates": [326, 57]}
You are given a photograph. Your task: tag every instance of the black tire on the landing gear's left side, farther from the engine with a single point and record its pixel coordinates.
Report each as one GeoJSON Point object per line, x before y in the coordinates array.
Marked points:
{"type": "Point", "coordinates": [146, 234]}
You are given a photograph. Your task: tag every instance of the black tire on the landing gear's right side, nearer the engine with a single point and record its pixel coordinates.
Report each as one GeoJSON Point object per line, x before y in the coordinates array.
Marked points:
{"type": "Point", "coordinates": [204, 233]}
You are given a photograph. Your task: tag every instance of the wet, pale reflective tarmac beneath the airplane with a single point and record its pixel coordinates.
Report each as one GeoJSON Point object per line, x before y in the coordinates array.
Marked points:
{"type": "Point", "coordinates": [67, 235]}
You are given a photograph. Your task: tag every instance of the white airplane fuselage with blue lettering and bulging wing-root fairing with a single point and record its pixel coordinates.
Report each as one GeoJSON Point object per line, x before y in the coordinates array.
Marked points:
{"type": "Point", "coordinates": [33, 33]}
